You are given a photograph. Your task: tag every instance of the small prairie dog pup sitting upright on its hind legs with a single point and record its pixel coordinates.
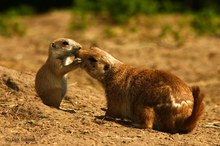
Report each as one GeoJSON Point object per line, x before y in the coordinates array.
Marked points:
{"type": "Point", "coordinates": [51, 79]}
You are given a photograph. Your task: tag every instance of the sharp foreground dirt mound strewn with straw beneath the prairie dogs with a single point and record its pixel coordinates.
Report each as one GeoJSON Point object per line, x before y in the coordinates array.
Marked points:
{"type": "Point", "coordinates": [25, 120]}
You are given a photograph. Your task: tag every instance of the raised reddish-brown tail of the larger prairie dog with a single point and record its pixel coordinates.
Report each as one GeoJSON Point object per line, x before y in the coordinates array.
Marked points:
{"type": "Point", "coordinates": [198, 108]}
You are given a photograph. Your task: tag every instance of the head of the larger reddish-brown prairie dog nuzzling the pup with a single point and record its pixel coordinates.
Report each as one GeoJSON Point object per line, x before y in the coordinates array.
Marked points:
{"type": "Point", "coordinates": [96, 62]}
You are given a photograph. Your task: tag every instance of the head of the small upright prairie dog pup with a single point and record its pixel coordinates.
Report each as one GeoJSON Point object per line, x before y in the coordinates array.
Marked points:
{"type": "Point", "coordinates": [63, 47]}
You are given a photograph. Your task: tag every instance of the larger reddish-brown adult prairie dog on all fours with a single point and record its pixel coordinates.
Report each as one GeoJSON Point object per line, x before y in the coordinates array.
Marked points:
{"type": "Point", "coordinates": [150, 98]}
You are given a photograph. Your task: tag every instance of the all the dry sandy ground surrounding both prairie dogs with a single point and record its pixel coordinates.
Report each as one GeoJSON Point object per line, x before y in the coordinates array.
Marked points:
{"type": "Point", "coordinates": [25, 120]}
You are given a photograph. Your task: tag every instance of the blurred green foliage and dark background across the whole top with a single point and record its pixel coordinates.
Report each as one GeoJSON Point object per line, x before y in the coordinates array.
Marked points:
{"type": "Point", "coordinates": [204, 13]}
